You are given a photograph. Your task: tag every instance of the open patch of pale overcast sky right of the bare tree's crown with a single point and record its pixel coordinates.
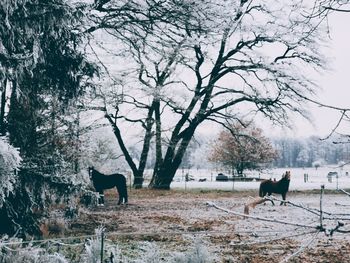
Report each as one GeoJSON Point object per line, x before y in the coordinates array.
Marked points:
{"type": "Point", "coordinates": [334, 84]}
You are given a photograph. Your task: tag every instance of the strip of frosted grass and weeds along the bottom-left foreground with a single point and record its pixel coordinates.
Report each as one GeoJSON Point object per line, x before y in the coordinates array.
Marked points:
{"type": "Point", "coordinates": [147, 253]}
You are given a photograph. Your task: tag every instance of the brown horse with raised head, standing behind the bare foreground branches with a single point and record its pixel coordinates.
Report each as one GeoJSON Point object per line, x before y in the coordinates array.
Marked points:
{"type": "Point", "coordinates": [267, 187]}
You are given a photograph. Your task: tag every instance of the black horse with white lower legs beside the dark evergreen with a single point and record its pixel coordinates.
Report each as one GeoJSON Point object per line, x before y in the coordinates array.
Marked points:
{"type": "Point", "coordinates": [102, 182]}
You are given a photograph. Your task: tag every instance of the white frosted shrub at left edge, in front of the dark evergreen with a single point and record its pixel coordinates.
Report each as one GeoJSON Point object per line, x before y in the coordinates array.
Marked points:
{"type": "Point", "coordinates": [9, 163]}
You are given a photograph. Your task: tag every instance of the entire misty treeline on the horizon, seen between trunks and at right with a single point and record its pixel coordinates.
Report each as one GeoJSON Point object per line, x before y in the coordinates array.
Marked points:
{"type": "Point", "coordinates": [292, 152]}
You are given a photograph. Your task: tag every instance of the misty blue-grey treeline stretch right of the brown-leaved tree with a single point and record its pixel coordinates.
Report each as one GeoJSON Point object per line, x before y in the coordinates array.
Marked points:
{"type": "Point", "coordinates": [311, 151]}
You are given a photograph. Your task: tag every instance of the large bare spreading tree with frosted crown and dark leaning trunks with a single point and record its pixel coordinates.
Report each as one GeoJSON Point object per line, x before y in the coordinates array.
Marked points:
{"type": "Point", "coordinates": [219, 61]}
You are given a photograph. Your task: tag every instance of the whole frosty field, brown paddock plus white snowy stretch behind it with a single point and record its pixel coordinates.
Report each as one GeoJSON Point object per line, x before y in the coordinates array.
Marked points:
{"type": "Point", "coordinates": [171, 225]}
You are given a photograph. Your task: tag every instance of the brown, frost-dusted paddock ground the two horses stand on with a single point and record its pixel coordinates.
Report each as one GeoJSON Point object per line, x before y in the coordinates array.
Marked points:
{"type": "Point", "coordinates": [173, 219]}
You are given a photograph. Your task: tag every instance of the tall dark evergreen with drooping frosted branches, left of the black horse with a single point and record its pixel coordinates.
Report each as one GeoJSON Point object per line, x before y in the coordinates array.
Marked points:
{"type": "Point", "coordinates": [43, 72]}
